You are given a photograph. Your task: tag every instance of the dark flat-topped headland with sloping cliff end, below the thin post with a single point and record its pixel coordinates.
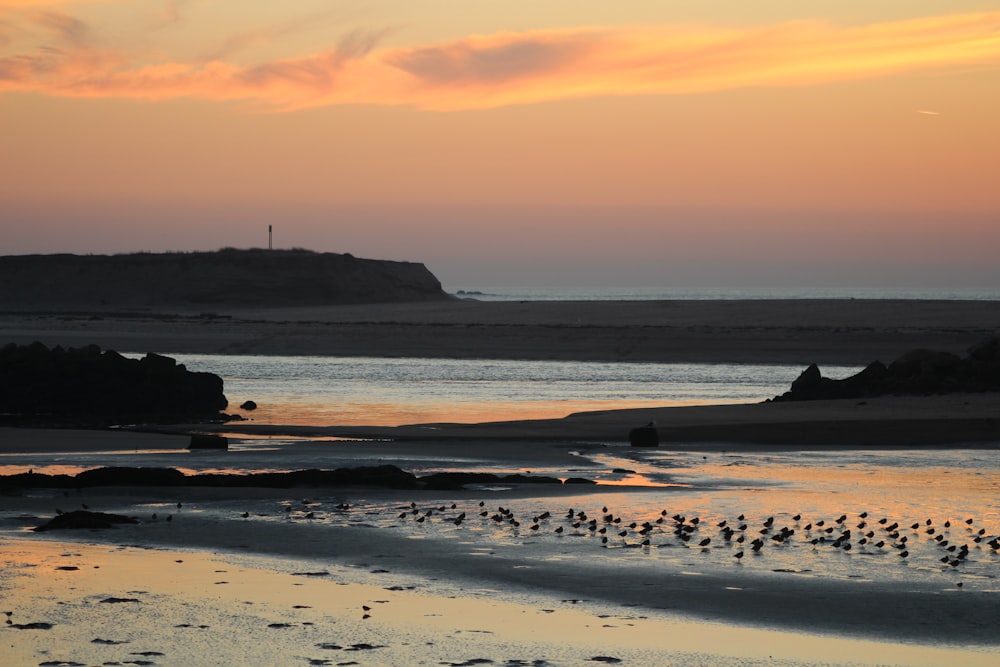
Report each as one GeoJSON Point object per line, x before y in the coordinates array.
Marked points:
{"type": "Point", "coordinates": [226, 277]}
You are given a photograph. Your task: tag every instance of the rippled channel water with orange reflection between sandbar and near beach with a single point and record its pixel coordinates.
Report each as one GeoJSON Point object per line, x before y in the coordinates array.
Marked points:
{"type": "Point", "coordinates": [316, 391]}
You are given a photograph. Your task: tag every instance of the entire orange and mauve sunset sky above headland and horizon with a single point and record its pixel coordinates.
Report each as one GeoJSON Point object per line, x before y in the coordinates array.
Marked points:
{"type": "Point", "coordinates": [774, 142]}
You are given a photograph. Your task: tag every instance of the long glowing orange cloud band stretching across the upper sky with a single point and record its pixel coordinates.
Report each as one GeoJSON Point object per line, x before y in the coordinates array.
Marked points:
{"type": "Point", "coordinates": [517, 68]}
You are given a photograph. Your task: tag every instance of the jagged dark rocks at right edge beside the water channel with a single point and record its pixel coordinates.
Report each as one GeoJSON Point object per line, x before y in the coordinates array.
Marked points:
{"type": "Point", "coordinates": [916, 373]}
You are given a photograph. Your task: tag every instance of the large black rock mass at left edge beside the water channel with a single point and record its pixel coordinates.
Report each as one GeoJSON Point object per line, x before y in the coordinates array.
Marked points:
{"type": "Point", "coordinates": [85, 386]}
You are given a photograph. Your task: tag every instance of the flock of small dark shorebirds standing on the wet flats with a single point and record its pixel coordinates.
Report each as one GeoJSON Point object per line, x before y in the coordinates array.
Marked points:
{"type": "Point", "coordinates": [954, 540]}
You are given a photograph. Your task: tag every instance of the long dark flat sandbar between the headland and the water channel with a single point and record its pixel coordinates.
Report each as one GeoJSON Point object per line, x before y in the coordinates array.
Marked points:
{"type": "Point", "coordinates": [840, 331]}
